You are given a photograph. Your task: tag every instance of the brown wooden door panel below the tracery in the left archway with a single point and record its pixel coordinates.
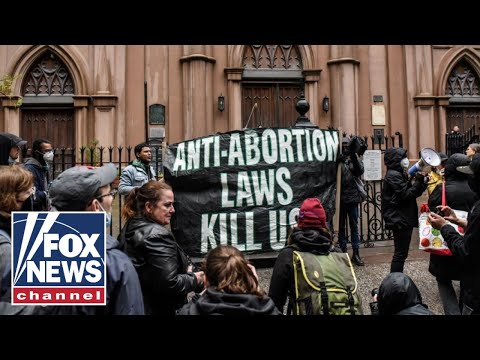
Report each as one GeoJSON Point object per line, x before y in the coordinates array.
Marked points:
{"type": "Point", "coordinates": [55, 125]}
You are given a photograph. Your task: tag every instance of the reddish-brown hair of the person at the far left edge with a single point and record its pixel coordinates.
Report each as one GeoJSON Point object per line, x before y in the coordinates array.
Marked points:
{"type": "Point", "coordinates": [14, 180]}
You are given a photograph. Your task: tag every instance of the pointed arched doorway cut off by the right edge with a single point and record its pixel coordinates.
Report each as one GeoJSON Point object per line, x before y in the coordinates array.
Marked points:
{"type": "Point", "coordinates": [464, 104]}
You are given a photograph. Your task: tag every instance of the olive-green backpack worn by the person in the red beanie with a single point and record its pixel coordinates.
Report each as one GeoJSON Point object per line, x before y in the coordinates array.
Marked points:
{"type": "Point", "coordinates": [325, 285]}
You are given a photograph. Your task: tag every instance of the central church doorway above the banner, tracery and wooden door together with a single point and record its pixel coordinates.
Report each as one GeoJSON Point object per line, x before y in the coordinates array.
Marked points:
{"type": "Point", "coordinates": [272, 78]}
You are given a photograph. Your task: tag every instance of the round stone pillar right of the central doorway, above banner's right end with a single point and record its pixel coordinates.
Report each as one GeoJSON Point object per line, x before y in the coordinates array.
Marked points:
{"type": "Point", "coordinates": [344, 84]}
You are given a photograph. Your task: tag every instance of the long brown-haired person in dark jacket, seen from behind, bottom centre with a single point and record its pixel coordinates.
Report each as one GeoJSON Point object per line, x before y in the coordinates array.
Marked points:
{"type": "Point", "coordinates": [231, 287]}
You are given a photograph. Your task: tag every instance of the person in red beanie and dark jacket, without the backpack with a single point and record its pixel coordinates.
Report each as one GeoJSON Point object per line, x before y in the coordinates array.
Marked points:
{"type": "Point", "coordinates": [311, 234]}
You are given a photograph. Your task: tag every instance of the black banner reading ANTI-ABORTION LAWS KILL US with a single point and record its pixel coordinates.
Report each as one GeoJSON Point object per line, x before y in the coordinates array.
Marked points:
{"type": "Point", "coordinates": [245, 188]}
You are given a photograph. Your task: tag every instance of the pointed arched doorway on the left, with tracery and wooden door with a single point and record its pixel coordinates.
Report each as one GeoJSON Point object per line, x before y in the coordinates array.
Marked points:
{"type": "Point", "coordinates": [47, 111]}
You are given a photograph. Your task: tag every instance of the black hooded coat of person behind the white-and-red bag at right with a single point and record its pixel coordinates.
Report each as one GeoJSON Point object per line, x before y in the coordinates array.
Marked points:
{"type": "Point", "coordinates": [459, 196]}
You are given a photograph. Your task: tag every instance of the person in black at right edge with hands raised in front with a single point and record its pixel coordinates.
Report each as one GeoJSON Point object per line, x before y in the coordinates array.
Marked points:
{"type": "Point", "coordinates": [466, 248]}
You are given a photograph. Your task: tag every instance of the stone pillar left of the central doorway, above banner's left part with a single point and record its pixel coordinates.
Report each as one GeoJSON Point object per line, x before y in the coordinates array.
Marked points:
{"type": "Point", "coordinates": [198, 99]}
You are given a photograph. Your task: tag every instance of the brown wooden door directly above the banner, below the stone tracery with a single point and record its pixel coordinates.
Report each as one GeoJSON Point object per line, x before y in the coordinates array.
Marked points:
{"type": "Point", "coordinates": [275, 104]}
